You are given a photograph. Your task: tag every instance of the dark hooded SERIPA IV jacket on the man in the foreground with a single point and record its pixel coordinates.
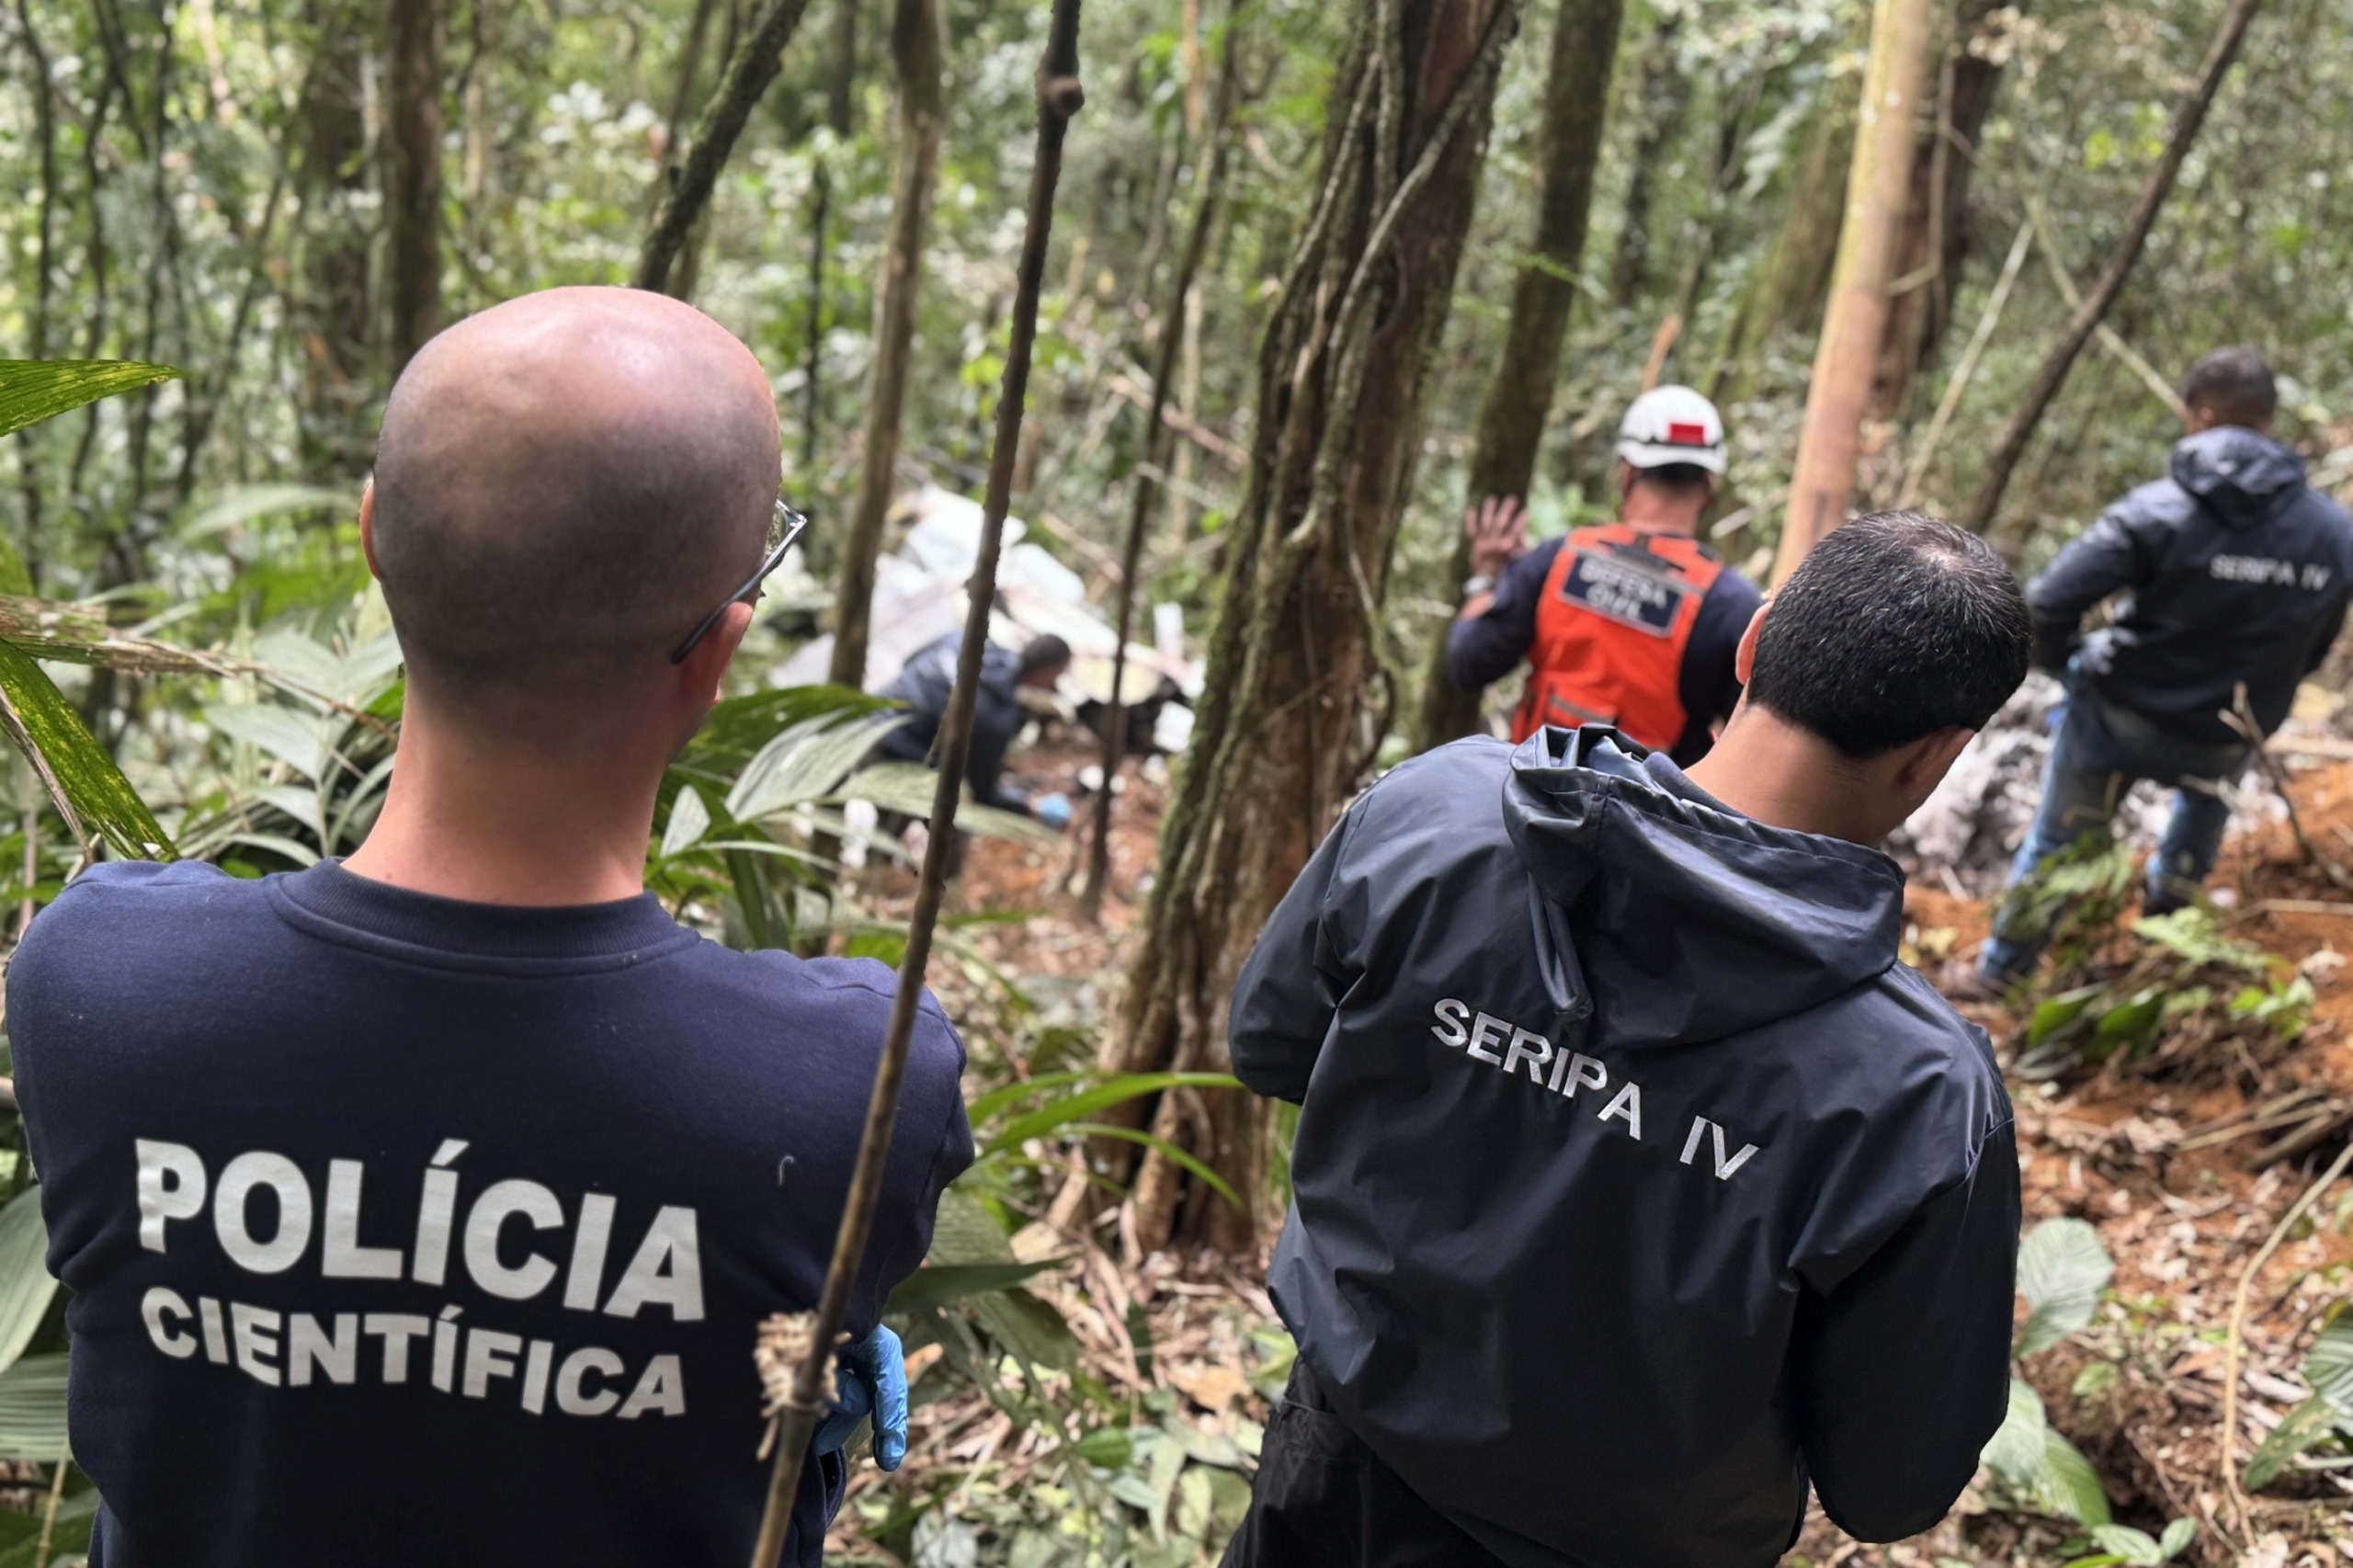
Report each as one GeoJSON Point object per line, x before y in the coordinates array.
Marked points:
{"type": "Point", "coordinates": [1637, 1183]}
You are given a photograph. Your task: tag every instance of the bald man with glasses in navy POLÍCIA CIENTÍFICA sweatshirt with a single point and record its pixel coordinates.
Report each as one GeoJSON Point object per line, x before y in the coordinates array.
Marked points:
{"type": "Point", "coordinates": [420, 1209]}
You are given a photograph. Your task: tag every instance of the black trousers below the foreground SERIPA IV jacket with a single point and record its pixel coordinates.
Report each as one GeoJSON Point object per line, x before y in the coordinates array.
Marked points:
{"type": "Point", "coordinates": [1326, 1501]}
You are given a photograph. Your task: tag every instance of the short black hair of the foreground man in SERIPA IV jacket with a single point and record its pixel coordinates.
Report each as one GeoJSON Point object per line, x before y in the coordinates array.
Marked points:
{"type": "Point", "coordinates": [1893, 627]}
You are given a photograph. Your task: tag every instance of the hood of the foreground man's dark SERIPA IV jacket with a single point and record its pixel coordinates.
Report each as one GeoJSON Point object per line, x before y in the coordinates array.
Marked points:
{"type": "Point", "coordinates": [1759, 922]}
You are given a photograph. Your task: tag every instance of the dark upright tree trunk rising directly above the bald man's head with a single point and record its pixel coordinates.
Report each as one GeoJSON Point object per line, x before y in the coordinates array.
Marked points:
{"type": "Point", "coordinates": [413, 178]}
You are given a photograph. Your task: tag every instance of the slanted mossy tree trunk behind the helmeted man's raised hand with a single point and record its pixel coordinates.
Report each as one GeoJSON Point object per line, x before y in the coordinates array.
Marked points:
{"type": "Point", "coordinates": [1521, 394]}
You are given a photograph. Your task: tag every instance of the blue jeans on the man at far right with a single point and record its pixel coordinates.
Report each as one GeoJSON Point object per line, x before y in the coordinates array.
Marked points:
{"type": "Point", "coordinates": [2100, 755]}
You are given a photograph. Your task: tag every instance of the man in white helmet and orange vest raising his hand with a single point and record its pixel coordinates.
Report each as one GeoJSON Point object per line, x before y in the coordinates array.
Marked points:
{"type": "Point", "coordinates": [1632, 625]}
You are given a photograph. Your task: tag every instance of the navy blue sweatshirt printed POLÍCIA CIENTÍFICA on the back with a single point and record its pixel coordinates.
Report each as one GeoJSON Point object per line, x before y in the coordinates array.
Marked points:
{"type": "Point", "coordinates": [422, 1233]}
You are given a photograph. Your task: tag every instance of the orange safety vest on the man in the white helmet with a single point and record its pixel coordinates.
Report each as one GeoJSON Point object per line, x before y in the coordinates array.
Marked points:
{"type": "Point", "coordinates": [1615, 618]}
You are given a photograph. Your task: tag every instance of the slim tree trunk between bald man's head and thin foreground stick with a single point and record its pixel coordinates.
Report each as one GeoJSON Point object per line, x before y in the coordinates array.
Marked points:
{"type": "Point", "coordinates": [916, 51]}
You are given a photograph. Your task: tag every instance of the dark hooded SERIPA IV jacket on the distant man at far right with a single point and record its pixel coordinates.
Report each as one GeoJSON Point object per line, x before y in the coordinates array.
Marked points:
{"type": "Point", "coordinates": [2239, 573]}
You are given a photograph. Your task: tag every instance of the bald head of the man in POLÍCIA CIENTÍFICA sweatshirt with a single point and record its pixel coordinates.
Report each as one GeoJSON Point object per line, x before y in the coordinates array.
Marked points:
{"type": "Point", "coordinates": [566, 486]}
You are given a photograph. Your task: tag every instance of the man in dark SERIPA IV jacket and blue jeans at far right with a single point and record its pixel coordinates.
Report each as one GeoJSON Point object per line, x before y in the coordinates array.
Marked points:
{"type": "Point", "coordinates": [2239, 580]}
